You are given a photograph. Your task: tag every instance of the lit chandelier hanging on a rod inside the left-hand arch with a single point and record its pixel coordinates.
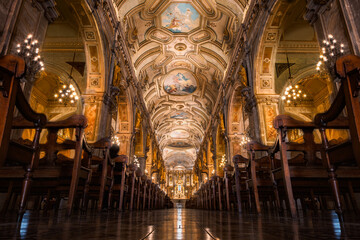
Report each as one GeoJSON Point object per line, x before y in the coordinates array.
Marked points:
{"type": "Point", "coordinates": [67, 93]}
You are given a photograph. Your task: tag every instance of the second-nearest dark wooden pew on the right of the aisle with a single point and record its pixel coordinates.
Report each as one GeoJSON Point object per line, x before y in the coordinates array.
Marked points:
{"type": "Point", "coordinates": [305, 173]}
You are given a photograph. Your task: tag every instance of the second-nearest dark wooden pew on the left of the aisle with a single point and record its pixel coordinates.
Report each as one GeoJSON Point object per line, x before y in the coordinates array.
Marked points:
{"type": "Point", "coordinates": [63, 173]}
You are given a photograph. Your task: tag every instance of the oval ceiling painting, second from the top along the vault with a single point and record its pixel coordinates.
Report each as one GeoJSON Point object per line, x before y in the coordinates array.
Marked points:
{"type": "Point", "coordinates": [180, 82]}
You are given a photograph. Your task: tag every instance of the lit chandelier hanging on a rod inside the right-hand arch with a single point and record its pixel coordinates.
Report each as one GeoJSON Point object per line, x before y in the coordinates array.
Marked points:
{"type": "Point", "coordinates": [293, 93]}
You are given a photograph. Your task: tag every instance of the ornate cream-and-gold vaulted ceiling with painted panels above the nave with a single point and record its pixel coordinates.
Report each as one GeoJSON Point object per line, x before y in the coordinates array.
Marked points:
{"type": "Point", "coordinates": [180, 52]}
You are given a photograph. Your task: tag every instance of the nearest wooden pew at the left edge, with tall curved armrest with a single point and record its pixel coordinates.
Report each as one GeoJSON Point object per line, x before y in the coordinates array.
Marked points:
{"type": "Point", "coordinates": [11, 69]}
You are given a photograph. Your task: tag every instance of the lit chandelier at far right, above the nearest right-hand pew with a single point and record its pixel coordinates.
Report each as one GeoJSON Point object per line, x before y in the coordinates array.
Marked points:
{"type": "Point", "coordinates": [331, 50]}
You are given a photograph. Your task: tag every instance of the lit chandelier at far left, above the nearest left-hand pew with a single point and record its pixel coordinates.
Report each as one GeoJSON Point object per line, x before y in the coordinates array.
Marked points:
{"type": "Point", "coordinates": [29, 51]}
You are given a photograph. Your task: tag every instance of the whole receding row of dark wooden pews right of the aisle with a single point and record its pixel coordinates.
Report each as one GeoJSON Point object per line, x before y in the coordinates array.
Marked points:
{"type": "Point", "coordinates": [312, 172]}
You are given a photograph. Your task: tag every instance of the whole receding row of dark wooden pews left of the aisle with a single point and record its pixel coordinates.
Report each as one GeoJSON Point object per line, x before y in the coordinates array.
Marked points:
{"type": "Point", "coordinates": [49, 168]}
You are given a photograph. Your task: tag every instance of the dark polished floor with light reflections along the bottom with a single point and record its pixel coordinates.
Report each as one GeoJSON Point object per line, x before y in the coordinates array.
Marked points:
{"type": "Point", "coordinates": [178, 223]}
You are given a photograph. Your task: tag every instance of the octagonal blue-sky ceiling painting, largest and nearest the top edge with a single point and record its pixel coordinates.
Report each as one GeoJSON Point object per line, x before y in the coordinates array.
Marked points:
{"type": "Point", "coordinates": [180, 18]}
